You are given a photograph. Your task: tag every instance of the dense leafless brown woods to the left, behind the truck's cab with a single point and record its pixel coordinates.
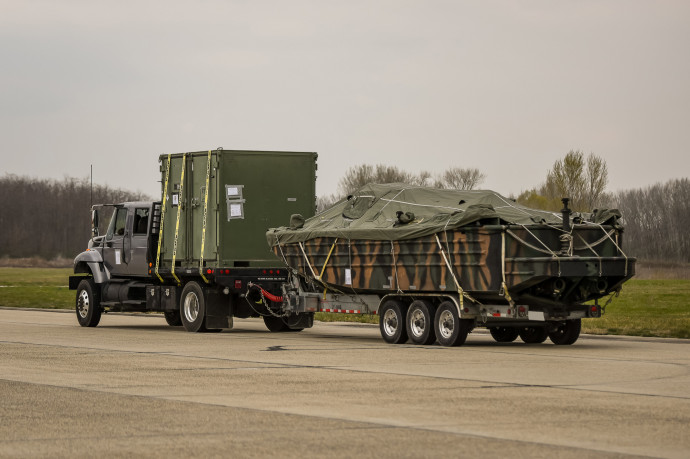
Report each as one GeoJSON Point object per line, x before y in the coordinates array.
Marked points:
{"type": "Point", "coordinates": [49, 218]}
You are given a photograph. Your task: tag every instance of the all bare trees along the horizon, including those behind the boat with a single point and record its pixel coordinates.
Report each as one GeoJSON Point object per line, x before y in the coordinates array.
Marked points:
{"type": "Point", "coordinates": [49, 218]}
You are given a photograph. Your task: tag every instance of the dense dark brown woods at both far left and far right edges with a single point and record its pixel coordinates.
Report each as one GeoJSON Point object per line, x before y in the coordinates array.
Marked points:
{"type": "Point", "coordinates": [49, 218]}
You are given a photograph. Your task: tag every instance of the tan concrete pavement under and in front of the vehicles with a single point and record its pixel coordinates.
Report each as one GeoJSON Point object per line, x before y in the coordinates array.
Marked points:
{"type": "Point", "coordinates": [135, 387]}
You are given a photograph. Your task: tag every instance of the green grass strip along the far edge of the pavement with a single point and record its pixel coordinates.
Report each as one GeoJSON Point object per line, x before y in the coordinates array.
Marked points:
{"type": "Point", "coordinates": [644, 308]}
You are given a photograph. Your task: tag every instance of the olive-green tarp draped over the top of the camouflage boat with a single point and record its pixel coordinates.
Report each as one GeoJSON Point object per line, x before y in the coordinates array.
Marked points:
{"type": "Point", "coordinates": [398, 212]}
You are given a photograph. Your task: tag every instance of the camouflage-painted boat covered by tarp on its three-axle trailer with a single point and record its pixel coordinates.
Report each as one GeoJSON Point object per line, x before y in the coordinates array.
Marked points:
{"type": "Point", "coordinates": [502, 265]}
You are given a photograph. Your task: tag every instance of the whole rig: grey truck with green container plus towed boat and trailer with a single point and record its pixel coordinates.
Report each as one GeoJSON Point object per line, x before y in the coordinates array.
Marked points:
{"type": "Point", "coordinates": [432, 264]}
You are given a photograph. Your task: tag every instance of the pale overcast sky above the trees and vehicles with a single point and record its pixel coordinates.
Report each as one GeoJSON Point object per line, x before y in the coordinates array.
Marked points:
{"type": "Point", "coordinates": [507, 87]}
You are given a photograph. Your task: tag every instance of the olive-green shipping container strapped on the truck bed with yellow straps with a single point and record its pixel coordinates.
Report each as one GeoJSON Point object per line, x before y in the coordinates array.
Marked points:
{"type": "Point", "coordinates": [217, 205]}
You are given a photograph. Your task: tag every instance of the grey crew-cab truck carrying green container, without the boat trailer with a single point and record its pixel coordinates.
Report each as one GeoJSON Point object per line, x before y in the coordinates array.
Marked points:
{"type": "Point", "coordinates": [199, 254]}
